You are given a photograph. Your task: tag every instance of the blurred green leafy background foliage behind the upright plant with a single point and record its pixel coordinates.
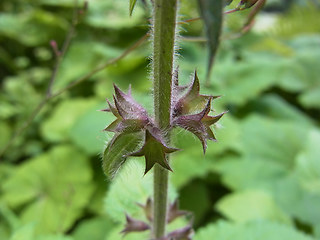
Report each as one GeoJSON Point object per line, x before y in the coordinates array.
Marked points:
{"type": "Point", "coordinates": [261, 180]}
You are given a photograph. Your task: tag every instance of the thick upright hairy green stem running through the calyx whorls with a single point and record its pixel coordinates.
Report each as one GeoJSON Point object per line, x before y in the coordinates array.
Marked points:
{"type": "Point", "coordinates": [164, 24]}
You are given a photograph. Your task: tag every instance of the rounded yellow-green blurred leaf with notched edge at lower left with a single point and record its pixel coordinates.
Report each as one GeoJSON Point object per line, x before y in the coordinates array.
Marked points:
{"type": "Point", "coordinates": [53, 186]}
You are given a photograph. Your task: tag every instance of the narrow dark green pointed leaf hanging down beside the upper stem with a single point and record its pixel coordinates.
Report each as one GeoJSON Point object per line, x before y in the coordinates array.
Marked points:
{"type": "Point", "coordinates": [212, 14]}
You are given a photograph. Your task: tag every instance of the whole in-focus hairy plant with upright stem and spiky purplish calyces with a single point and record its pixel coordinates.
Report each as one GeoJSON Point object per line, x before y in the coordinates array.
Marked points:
{"type": "Point", "coordinates": [143, 134]}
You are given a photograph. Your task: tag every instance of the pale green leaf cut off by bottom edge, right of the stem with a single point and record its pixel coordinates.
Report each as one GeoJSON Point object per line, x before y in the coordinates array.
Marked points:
{"type": "Point", "coordinates": [261, 230]}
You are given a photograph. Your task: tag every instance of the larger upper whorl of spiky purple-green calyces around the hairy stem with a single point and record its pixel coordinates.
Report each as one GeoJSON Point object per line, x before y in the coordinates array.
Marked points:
{"type": "Point", "coordinates": [189, 110]}
